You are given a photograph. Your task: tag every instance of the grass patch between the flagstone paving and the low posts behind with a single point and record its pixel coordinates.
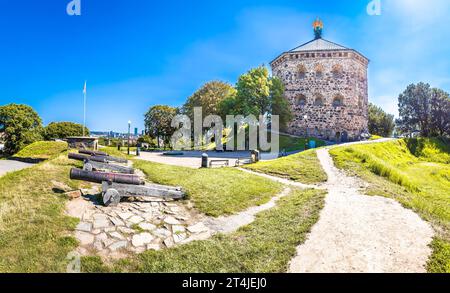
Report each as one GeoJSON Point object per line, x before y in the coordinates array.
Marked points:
{"type": "Point", "coordinates": [215, 192]}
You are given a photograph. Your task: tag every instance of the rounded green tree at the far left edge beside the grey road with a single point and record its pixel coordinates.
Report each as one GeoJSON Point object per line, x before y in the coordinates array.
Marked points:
{"type": "Point", "coordinates": [20, 126]}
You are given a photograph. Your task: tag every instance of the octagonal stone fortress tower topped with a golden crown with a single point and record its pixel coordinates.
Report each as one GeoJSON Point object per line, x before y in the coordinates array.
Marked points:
{"type": "Point", "coordinates": [326, 86]}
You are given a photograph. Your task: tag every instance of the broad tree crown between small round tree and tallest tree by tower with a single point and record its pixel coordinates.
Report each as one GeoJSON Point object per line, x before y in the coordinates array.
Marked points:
{"type": "Point", "coordinates": [209, 98]}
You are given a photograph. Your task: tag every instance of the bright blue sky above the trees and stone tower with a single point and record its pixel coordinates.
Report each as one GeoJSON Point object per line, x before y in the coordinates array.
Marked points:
{"type": "Point", "coordinates": [138, 53]}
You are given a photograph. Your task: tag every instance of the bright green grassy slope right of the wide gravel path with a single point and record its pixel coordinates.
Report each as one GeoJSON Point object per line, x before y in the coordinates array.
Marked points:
{"type": "Point", "coordinates": [414, 172]}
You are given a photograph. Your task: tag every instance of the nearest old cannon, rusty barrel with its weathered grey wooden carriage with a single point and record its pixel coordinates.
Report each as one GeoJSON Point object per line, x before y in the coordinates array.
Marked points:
{"type": "Point", "coordinates": [117, 186]}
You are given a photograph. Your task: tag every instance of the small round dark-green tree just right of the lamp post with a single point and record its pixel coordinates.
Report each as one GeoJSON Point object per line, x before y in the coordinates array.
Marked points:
{"type": "Point", "coordinates": [158, 120]}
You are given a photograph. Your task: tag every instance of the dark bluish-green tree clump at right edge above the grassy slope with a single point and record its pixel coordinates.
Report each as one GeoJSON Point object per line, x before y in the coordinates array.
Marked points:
{"type": "Point", "coordinates": [423, 109]}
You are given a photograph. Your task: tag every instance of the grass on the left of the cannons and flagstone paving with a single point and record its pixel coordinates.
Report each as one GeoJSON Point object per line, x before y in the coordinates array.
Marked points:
{"type": "Point", "coordinates": [33, 228]}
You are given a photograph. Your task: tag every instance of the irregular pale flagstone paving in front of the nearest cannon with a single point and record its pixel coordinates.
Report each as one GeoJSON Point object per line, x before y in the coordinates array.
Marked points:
{"type": "Point", "coordinates": [133, 226]}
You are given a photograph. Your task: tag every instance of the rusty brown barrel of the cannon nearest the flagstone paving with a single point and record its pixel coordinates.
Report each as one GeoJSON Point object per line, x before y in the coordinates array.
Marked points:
{"type": "Point", "coordinates": [99, 177]}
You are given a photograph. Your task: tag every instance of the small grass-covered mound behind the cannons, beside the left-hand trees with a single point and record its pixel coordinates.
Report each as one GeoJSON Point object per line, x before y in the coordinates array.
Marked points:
{"type": "Point", "coordinates": [42, 150]}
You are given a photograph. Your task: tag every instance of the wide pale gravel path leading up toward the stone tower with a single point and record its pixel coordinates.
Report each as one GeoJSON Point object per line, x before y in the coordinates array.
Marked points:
{"type": "Point", "coordinates": [358, 233]}
